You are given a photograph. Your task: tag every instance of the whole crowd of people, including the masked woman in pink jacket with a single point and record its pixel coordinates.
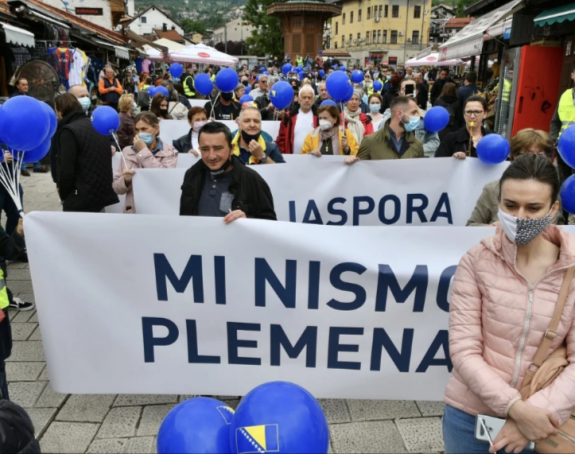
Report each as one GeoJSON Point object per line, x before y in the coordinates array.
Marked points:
{"type": "Point", "coordinates": [505, 289]}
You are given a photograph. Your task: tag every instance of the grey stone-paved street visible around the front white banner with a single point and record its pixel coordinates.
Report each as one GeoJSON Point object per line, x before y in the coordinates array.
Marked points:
{"type": "Point", "coordinates": [129, 423]}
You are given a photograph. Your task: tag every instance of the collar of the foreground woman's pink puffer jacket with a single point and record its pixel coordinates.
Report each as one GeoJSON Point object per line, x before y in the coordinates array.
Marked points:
{"type": "Point", "coordinates": [502, 247]}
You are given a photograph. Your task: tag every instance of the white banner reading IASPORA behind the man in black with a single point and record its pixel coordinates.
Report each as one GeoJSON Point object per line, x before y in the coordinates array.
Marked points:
{"type": "Point", "coordinates": [326, 191]}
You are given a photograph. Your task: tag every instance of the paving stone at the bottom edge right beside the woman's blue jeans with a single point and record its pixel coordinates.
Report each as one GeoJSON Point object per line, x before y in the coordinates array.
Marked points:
{"type": "Point", "coordinates": [422, 434]}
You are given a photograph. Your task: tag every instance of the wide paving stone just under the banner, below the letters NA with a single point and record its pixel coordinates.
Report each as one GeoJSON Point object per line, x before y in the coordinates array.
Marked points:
{"type": "Point", "coordinates": [374, 410]}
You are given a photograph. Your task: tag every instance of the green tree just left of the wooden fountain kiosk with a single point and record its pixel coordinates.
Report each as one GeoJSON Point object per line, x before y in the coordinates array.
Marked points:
{"type": "Point", "coordinates": [267, 39]}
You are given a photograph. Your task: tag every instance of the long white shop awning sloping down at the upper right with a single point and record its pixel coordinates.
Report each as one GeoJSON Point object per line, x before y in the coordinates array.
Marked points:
{"type": "Point", "coordinates": [469, 41]}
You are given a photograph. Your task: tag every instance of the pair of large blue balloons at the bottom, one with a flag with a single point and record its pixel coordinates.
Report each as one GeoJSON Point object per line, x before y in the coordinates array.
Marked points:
{"type": "Point", "coordinates": [275, 417]}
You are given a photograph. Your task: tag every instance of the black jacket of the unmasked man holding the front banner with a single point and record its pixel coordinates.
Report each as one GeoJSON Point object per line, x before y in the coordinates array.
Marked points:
{"type": "Point", "coordinates": [251, 193]}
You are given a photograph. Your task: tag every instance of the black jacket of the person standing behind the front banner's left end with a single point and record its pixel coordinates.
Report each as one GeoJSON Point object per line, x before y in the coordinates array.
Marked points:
{"type": "Point", "coordinates": [85, 172]}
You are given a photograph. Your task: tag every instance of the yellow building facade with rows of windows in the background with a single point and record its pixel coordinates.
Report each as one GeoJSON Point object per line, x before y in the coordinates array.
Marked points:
{"type": "Point", "coordinates": [382, 31]}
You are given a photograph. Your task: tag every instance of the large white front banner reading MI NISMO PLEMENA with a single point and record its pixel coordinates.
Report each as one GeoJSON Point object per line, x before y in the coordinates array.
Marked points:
{"type": "Point", "coordinates": [185, 305]}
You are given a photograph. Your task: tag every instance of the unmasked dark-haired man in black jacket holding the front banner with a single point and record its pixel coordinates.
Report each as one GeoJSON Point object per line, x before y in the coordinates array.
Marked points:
{"type": "Point", "coordinates": [220, 185]}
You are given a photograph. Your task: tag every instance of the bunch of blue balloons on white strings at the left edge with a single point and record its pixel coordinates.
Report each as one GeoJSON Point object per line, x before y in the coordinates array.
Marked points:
{"type": "Point", "coordinates": [26, 127]}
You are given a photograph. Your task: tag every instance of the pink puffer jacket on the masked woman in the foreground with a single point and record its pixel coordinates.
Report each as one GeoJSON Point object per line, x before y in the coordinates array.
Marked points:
{"type": "Point", "coordinates": [496, 323]}
